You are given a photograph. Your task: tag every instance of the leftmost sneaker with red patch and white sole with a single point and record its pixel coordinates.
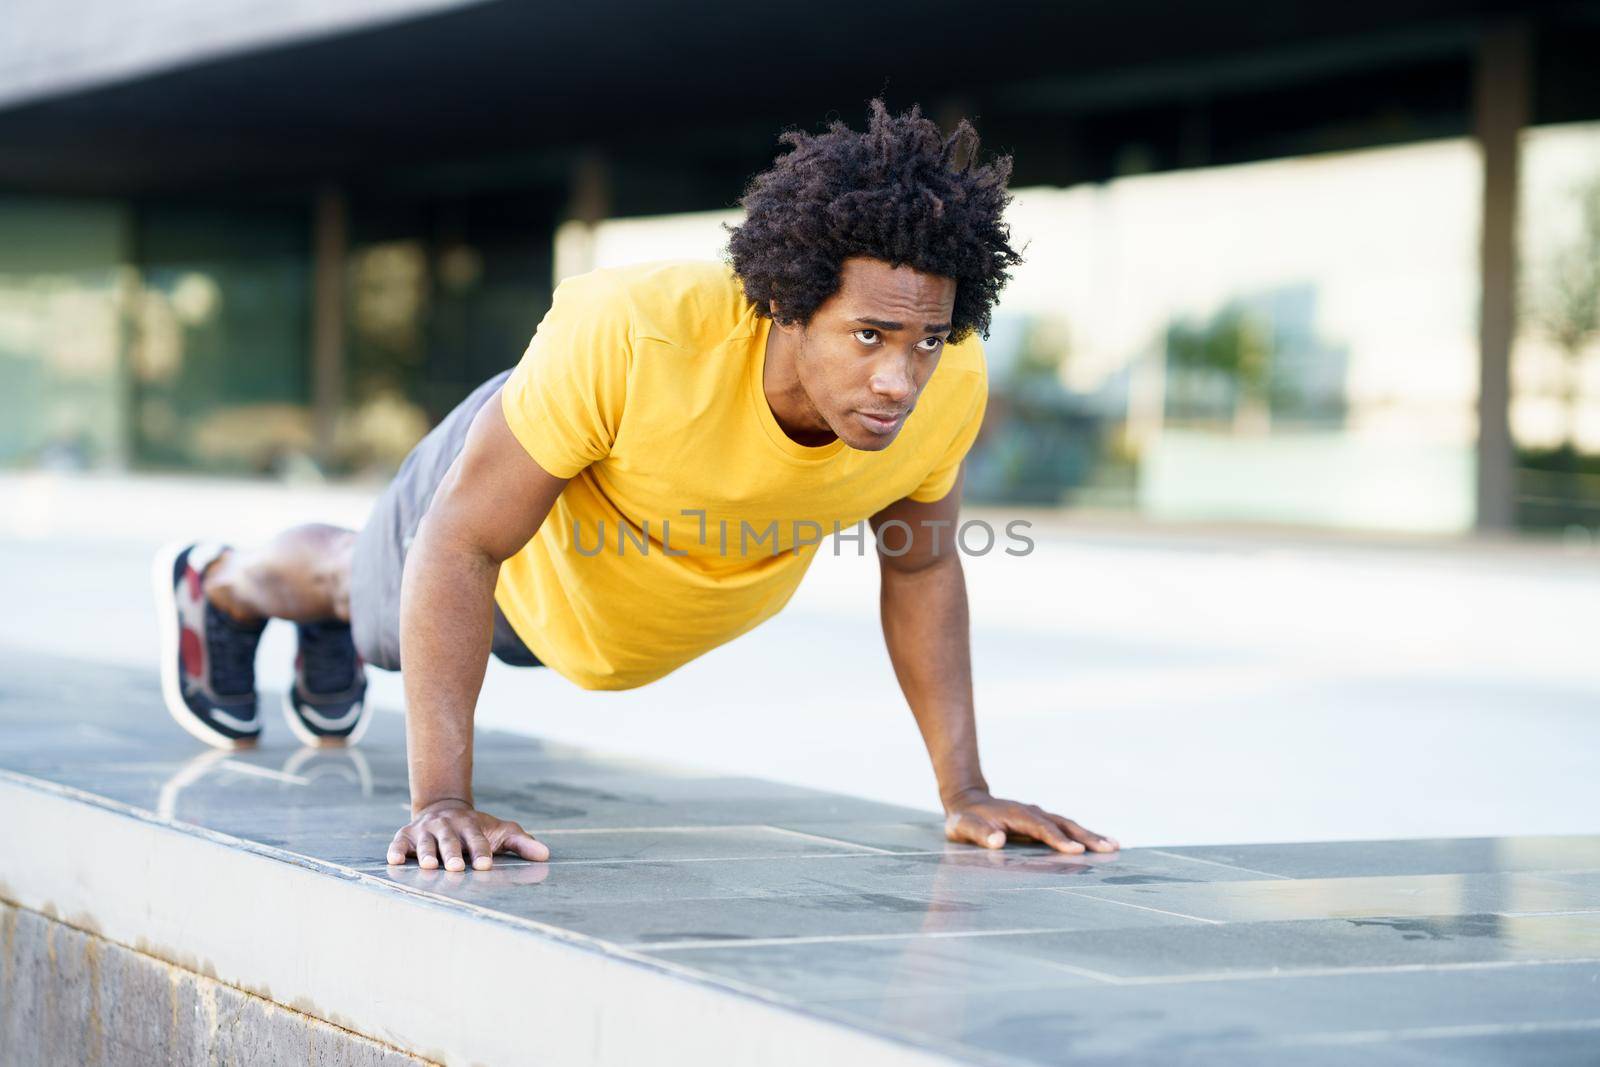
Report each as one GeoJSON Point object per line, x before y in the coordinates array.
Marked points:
{"type": "Point", "coordinates": [209, 661]}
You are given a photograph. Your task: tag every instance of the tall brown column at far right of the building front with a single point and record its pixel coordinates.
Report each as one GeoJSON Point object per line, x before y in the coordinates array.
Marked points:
{"type": "Point", "coordinates": [1502, 103]}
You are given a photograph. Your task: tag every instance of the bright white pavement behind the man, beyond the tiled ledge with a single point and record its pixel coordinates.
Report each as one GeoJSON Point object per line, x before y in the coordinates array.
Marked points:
{"type": "Point", "coordinates": [1167, 687]}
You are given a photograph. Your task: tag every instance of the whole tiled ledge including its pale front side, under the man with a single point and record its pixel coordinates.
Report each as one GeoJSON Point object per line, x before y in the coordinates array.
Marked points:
{"type": "Point", "coordinates": [702, 919]}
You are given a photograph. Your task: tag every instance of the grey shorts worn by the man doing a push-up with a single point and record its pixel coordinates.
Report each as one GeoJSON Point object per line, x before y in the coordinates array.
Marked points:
{"type": "Point", "coordinates": [383, 543]}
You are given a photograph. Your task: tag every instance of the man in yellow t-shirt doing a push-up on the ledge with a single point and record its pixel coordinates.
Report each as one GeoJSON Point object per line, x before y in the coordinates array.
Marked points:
{"type": "Point", "coordinates": [652, 481]}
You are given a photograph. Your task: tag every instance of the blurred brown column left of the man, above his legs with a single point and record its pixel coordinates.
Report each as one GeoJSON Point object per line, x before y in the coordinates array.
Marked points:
{"type": "Point", "coordinates": [330, 244]}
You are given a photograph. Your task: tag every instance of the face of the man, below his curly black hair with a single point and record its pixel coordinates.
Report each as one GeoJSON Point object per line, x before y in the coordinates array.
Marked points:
{"type": "Point", "coordinates": [871, 348]}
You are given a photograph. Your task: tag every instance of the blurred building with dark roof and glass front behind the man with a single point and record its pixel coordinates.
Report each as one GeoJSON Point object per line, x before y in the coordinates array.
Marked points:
{"type": "Point", "coordinates": [1319, 265]}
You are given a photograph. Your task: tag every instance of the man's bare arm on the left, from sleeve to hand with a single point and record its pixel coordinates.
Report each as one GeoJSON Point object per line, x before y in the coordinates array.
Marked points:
{"type": "Point", "coordinates": [489, 506]}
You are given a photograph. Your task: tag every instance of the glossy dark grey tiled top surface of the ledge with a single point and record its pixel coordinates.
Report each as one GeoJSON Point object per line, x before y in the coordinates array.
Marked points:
{"type": "Point", "coordinates": [1399, 953]}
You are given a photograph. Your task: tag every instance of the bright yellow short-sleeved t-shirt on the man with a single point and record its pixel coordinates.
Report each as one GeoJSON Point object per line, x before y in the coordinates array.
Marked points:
{"type": "Point", "coordinates": [644, 386]}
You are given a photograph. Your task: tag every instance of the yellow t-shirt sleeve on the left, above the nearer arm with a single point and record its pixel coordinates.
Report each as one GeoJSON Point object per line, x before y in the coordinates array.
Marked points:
{"type": "Point", "coordinates": [564, 402]}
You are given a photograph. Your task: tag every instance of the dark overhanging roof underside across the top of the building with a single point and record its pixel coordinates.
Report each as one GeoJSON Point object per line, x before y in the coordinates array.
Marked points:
{"type": "Point", "coordinates": [692, 95]}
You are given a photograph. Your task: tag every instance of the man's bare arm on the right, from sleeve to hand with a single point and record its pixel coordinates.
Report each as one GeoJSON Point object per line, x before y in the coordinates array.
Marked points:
{"type": "Point", "coordinates": [926, 626]}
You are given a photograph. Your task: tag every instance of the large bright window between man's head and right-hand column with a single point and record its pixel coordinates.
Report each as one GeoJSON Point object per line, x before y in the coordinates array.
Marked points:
{"type": "Point", "coordinates": [1287, 342]}
